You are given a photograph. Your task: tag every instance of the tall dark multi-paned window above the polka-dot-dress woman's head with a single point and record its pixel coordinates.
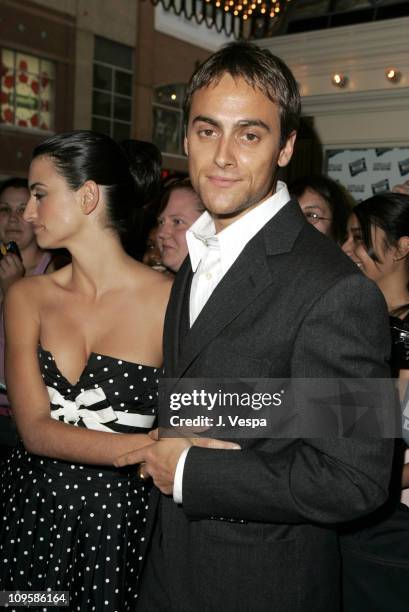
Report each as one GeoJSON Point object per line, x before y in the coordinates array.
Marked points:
{"type": "Point", "coordinates": [112, 89]}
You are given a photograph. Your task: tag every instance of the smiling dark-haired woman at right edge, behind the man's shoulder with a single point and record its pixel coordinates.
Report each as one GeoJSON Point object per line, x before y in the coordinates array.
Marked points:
{"type": "Point", "coordinates": [376, 553]}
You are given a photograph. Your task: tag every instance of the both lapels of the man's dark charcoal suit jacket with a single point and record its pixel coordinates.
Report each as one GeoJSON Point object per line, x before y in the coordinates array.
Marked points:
{"type": "Point", "coordinates": [250, 275]}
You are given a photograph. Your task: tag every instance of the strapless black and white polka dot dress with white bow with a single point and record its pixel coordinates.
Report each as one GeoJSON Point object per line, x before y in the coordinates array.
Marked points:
{"type": "Point", "coordinates": [80, 528]}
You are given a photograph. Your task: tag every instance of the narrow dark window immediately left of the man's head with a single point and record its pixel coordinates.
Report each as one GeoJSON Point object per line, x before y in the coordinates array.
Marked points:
{"type": "Point", "coordinates": [168, 118]}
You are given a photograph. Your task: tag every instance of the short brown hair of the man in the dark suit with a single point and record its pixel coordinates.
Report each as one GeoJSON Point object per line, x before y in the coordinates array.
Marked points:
{"type": "Point", "coordinates": [259, 68]}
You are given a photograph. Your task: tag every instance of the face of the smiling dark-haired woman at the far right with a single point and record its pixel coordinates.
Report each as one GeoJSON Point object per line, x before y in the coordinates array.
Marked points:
{"type": "Point", "coordinates": [356, 250]}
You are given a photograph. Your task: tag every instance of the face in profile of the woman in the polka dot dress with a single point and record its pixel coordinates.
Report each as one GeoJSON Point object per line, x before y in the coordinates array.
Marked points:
{"type": "Point", "coordinates": [53, 208]}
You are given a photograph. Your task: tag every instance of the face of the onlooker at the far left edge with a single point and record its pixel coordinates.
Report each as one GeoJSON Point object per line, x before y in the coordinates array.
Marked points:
{"type": "Point", "coordinates": [13, 202]}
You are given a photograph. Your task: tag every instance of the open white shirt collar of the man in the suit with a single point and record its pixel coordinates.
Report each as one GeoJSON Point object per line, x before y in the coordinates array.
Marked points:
{"type": "Point", "coordinates": [232, 240]}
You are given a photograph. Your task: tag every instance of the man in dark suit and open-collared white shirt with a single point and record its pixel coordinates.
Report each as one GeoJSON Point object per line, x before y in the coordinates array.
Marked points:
{"type": "Point", "coordinates": [261, 295]}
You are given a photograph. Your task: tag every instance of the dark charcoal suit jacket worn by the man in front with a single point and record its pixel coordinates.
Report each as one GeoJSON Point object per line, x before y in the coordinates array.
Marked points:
{"type": "Point", "coordinates": [292, 305]}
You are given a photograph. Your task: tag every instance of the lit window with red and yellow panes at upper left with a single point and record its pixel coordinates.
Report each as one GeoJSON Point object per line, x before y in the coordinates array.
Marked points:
{"type": "Point", "coordinates": [27, 91]}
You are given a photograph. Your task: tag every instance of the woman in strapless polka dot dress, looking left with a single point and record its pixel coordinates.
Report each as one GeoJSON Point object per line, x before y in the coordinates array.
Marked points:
{"type": "Point", "coordinates": [83, 352]}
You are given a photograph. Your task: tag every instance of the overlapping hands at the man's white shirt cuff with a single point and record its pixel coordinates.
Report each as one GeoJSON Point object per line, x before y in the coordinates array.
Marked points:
{"type": "Point", "coordinates": [159, 459]}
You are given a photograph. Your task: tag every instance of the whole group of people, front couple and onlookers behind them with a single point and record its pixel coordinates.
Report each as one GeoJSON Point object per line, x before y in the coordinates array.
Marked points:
{"type": "Point", "coordinates": [119, 281]}
